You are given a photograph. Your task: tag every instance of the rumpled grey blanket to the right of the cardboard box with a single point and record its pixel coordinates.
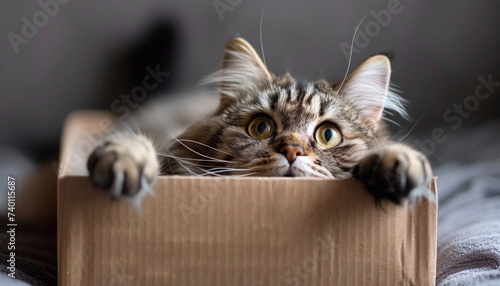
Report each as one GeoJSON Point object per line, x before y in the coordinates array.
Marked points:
{"type": "Point", "coordinates": [469, 210]}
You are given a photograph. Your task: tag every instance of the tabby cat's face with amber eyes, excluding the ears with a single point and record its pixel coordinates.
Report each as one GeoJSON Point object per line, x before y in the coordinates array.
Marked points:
{"type": "Point", "coordinates": [293, 129]}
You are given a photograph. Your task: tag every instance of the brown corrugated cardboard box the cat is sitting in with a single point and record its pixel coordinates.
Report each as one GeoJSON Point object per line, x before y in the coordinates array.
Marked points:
{"type": "Point", "coordinates": [235, 231]}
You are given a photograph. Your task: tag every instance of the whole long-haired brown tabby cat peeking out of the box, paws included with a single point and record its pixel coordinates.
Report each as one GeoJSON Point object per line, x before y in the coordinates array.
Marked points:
{"type": "Point", "coordinates": [268, 125]}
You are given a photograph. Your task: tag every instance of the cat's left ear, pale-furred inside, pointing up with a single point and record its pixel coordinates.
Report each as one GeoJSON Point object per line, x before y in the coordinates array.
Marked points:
{"type": "Point", "coordinates": [242, 72]}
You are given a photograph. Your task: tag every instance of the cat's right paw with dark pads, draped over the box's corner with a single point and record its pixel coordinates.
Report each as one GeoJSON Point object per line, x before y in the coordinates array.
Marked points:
{"type": "Point", "coordinates": [395, 172]}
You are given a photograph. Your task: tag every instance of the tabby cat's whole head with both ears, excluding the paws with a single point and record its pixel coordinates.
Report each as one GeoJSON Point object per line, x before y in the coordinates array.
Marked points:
{"type": "Point", "coordinates": [276, 126]}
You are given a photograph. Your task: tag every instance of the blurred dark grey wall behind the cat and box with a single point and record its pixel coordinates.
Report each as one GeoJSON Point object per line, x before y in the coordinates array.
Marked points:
{"type": "Point", "coordinates": [441, 48]}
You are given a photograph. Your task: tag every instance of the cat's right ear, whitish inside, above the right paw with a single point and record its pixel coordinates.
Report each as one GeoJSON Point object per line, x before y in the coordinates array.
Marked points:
{"type": "Point", "coordinates": [367, 87]}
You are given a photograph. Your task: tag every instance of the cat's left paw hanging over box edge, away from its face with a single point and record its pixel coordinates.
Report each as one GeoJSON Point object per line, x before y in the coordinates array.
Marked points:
{"type": "Point", "coordinates": [123, 166]}
